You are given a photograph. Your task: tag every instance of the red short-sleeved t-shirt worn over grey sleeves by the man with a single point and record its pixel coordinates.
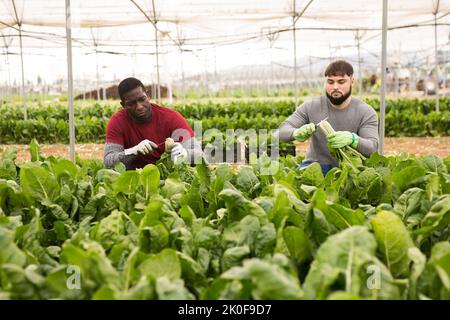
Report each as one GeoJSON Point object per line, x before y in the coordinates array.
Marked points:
{"type": "Point", "coordinates": [165, 123]}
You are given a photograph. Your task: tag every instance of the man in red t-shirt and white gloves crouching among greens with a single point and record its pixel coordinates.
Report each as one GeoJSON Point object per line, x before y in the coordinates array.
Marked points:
{"type": "Point", "coordinates": [136, 134]}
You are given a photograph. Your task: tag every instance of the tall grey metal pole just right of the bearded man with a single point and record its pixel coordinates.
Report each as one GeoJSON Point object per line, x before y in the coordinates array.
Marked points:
{"type": "Point", "coordinates": [383, 77]}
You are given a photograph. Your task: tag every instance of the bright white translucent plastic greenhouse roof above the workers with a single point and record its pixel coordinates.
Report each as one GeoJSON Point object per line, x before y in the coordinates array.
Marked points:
{"type": "Point", "coordinates": [210, 35]}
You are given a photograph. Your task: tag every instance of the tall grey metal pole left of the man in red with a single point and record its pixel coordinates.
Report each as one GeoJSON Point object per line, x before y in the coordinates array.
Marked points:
{"type": "Point", "coordinates": [70, 82]}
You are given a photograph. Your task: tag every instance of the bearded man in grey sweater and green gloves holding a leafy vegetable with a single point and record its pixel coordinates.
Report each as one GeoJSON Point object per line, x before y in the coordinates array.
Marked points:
{"type": "Point", "coordinates": [355, 122]}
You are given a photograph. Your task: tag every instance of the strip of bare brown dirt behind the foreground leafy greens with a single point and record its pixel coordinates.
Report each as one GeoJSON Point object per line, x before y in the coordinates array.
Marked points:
{"type": "Point", "coordinates": [439, 146]}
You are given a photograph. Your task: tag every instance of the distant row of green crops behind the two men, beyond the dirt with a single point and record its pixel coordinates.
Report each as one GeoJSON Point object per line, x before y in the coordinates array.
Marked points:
{"type": "Point", "coordinates": [49, 123]}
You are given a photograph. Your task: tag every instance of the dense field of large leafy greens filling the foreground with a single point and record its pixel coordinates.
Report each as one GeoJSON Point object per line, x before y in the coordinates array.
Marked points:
{"type": "Point", "coordinates": [79, 231]}
